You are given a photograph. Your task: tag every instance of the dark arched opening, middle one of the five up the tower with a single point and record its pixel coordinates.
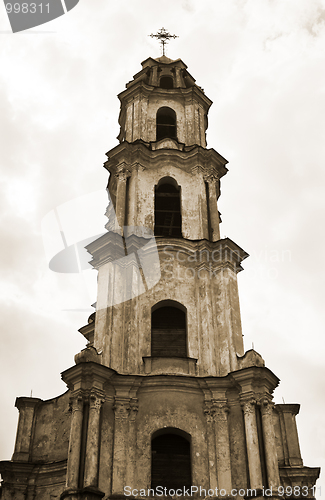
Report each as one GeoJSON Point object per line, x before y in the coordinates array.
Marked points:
{"type": "Point", "coordinates": [168, 220]}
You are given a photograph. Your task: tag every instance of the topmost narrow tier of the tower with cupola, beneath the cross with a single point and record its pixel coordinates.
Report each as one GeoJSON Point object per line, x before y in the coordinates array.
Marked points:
{"type": "Point", "coordinates": [163, 103]}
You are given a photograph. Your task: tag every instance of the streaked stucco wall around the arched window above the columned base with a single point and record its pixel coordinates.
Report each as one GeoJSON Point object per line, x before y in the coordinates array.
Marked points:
{"type": "Point", "coordinates": [191, 275]}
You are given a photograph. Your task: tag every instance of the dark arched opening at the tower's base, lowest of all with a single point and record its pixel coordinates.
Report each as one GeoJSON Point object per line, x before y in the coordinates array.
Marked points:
{"type": "Point", "coordinates": [171, 460]}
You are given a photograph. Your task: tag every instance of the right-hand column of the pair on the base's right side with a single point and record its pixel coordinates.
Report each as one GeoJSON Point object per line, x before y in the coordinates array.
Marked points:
{"type": "Point", "coordinates": [269, 444]}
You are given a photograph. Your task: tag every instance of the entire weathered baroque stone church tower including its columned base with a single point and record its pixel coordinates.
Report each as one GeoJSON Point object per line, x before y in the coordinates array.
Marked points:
{"type": "Point", "coordinates": [164, 397]}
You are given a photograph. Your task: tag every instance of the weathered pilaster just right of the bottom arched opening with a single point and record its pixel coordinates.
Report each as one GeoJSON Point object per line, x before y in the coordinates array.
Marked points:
{"type": "Point", "coordinates": [222, 445]}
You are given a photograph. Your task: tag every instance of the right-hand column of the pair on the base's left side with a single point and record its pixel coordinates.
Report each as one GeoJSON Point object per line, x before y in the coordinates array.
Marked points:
{"type": "Point", "coordinates": [93, 435]}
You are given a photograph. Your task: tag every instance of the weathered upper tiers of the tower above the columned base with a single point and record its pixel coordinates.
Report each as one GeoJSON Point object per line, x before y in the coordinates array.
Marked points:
{"type": "Point", "coordinates": [164, 182]}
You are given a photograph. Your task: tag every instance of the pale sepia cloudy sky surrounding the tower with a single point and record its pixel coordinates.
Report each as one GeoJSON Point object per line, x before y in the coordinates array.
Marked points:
{"type": "Point", "coordinates": [262, 64]}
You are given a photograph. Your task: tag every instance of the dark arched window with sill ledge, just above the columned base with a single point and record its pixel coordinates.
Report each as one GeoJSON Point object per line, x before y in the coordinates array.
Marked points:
{"type": "Point", "coordinates": [168, 331]}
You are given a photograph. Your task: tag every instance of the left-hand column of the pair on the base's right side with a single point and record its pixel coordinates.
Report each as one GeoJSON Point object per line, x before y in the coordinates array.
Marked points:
{"type": "Point", "coordinates": [253, 453]}
